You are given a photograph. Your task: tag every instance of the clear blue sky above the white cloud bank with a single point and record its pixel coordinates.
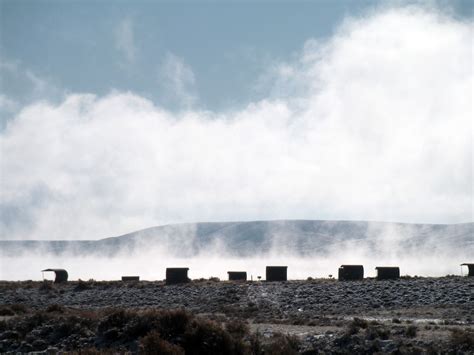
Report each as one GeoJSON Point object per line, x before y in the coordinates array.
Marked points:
{"type": "Point", "coordinates": [98, 46]}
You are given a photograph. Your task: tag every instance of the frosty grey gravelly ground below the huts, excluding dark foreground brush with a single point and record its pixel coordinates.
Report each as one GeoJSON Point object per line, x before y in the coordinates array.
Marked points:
{"type": "Point", "coordinates": [320, 313]}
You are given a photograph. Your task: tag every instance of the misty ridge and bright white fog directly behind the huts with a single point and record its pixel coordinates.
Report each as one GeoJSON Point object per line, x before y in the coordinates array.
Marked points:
{"type": "Point", "coordinates": [309, 248]}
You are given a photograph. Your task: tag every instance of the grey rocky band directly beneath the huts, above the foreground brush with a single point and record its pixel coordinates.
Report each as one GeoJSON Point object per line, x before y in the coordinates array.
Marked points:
{"type": "Point", "coordinates": [448, 298]}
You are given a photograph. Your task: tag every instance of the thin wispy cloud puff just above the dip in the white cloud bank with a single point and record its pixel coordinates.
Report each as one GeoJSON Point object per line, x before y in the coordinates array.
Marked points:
{"type": "Point", "coordinates": [177, 80]}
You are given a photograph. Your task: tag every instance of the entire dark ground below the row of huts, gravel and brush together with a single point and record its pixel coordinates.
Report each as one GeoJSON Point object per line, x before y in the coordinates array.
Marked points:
{"type": "Point", "coordinates": [410, 315]}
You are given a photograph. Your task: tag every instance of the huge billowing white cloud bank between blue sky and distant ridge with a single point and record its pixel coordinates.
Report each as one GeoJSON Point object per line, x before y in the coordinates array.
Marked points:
{"type": "Point", "coordinates": [375, 123]}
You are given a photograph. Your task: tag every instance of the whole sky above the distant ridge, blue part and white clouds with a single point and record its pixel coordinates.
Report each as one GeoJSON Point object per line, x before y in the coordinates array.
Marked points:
{"type": "Point", "coordinates": [117, 116]}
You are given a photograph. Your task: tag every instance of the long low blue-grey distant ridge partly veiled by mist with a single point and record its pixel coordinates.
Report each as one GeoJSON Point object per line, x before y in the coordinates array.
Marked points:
{"type": "Point", "coordinates": [301, 237]}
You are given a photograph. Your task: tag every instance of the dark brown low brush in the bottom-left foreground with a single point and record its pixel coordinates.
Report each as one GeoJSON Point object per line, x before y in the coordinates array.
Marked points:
{"type": "Point", "coordinates": [149, 331]}
